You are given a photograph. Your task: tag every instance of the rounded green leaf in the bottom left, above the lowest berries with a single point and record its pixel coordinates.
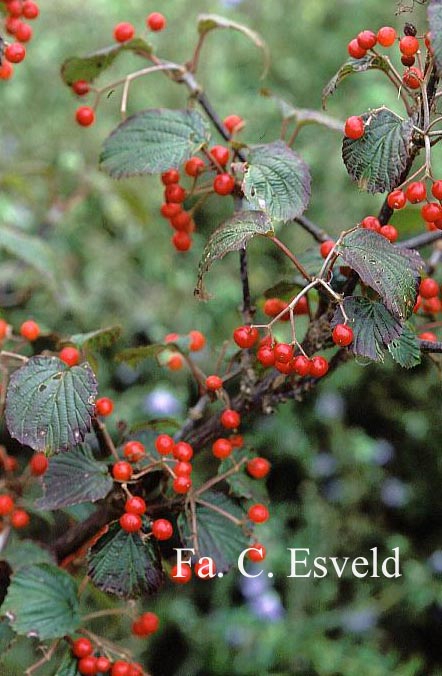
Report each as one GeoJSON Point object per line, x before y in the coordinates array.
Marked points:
{"type": "Point", "coordinates": [42, 601]}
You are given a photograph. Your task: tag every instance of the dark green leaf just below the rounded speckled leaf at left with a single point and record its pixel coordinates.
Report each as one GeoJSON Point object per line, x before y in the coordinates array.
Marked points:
{"type": "Point", "coordinates": [73, 478]}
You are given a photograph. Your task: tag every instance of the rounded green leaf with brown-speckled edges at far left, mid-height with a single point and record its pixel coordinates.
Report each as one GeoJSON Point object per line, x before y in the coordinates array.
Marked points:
{"type": "Point", "coordinates": [49, 406]}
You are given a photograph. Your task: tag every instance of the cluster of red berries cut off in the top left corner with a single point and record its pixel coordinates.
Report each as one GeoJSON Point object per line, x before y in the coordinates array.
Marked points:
{"type": "Point", "coordinates": [15, 52]}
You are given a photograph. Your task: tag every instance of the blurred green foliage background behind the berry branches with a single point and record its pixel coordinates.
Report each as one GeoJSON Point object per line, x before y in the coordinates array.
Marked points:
{"type": "Point", "coordinates": [354, 466]}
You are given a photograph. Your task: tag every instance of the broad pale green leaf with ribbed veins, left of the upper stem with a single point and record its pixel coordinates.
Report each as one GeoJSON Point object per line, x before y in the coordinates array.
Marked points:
{"type": "Point", "coordinates": [153, 141]}
